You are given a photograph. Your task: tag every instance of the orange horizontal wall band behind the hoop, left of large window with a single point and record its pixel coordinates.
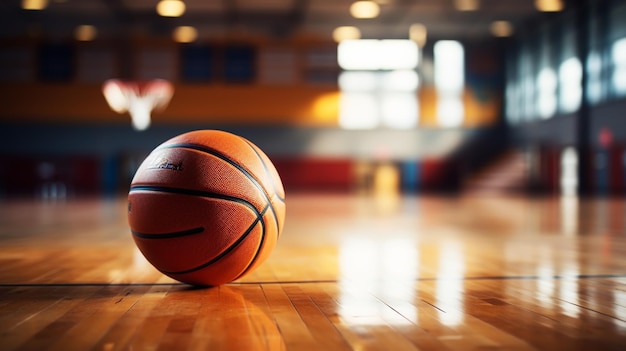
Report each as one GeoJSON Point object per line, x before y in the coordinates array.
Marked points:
{"type": "Point", "coordinates": [249, 104]}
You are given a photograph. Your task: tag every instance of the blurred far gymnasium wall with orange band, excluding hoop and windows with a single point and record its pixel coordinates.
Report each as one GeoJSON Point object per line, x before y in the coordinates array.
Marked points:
{"type": "Point", "coordinates": [56, 125]}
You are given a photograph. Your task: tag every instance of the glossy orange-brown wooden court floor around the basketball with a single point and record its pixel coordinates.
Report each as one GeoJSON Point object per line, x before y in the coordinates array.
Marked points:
{"type": "Point", "coordinates": [349, 272]}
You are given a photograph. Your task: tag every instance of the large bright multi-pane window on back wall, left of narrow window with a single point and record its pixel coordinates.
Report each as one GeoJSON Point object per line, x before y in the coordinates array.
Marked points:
{"type": "Point", "coordinates": [379, 84]}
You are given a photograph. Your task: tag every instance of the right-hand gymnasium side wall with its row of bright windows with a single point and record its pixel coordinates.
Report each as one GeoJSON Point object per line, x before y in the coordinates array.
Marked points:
{"type": "Point", "coordinates": [566, 96]}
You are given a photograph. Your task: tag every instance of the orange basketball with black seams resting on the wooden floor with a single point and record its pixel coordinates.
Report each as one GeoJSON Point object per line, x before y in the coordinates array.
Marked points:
{"type": "Point", "coordinates": [206, 207]}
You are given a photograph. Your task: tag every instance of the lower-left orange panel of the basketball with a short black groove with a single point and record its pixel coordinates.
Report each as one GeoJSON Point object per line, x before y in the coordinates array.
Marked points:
{"type": "Point", "coordinates": [151, 215]}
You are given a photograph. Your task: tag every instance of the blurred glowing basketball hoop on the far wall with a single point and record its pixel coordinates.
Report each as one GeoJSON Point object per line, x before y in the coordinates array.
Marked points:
{"type": "Point", "coordinates": [139, 99]}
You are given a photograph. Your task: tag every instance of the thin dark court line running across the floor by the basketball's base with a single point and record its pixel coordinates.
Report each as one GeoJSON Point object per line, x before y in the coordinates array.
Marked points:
{"type": "Point", "coordinates": [432, 279]}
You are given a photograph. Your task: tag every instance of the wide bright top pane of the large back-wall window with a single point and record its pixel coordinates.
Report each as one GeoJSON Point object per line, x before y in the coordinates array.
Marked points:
{"type": "Point", "coordinates": [377, 54]}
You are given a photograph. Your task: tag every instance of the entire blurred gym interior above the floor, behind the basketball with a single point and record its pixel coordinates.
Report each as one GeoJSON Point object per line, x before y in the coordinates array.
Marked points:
{"type": "Point", "coordinates": [436, 96]}
